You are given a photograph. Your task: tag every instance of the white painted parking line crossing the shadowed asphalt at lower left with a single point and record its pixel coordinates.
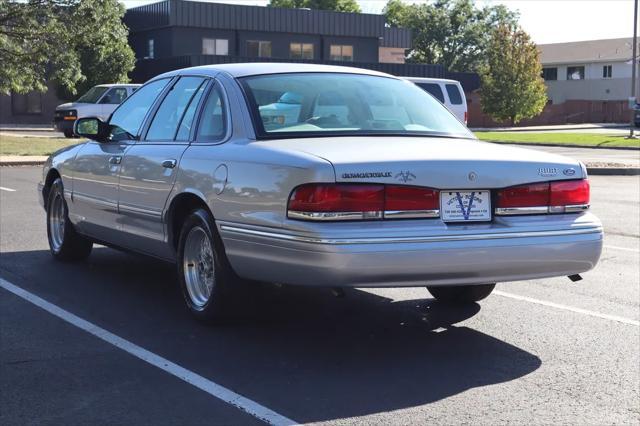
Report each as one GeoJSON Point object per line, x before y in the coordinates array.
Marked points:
{"type": "Point", "coordinates": [226, 395]}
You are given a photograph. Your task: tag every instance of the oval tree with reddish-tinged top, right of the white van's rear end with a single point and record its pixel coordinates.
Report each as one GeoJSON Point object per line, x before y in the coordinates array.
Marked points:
{"type": "Point", "coordinates": [512, 87]}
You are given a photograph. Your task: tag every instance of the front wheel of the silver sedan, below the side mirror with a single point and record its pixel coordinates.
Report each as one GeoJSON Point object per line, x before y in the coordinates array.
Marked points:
{"type": "Point", "coordinates": [64, 242]}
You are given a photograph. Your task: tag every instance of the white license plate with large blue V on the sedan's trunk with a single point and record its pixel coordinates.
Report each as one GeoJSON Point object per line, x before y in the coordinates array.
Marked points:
{"type": "Point", "coordinates": [465, 206]}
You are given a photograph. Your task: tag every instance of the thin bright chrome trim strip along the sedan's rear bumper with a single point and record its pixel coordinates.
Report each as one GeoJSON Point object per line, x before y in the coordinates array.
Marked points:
{"type": "Point", "coordinates": [426, 239]}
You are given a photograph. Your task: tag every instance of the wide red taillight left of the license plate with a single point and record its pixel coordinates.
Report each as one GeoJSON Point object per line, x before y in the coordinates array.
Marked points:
{"type": "Point", "coordinates": [362, 201]}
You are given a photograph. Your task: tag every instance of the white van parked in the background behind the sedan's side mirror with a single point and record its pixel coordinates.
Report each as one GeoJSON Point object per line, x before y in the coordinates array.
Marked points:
{"type": "Point", "coordinates": [100, 101]}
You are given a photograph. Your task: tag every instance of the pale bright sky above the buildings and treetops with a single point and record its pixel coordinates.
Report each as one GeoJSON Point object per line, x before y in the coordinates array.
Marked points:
{"type": "Point", "coordinates": [547, 21]}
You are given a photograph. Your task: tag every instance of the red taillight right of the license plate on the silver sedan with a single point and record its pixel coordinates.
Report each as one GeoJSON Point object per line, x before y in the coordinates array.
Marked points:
{"type": "Point", "coordinates": [548, 197]}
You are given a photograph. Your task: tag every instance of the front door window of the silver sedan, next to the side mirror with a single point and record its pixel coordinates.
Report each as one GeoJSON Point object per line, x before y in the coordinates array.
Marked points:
{"type": "Point", "coordinates": [127, 120]}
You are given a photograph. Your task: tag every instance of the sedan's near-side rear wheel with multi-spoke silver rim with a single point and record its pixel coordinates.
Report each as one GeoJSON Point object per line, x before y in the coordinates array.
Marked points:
{"type": "Point", "coordinates": [208, 283]}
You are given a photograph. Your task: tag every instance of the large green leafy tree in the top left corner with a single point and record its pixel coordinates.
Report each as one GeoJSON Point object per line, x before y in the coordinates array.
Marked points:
{"type": "Point", "coordinates": [72, 43]}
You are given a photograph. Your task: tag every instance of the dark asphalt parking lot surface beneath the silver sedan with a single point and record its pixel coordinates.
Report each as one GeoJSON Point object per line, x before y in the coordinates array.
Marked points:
{"type": "Point", "coordinates": [536, 352]}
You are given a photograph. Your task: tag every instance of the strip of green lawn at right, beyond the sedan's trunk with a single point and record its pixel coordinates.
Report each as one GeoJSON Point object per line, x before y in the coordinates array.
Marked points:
{"type": "Point", "coordinates": [569, 139]}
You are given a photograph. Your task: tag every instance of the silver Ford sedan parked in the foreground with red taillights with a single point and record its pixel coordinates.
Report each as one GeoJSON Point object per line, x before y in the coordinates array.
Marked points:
{"type": "Point", "coordinates": [380, 186]}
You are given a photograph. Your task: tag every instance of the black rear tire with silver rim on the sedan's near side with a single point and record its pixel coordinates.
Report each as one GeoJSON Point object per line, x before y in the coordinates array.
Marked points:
{"type": "Point", "coordinates": [226, 287]}
